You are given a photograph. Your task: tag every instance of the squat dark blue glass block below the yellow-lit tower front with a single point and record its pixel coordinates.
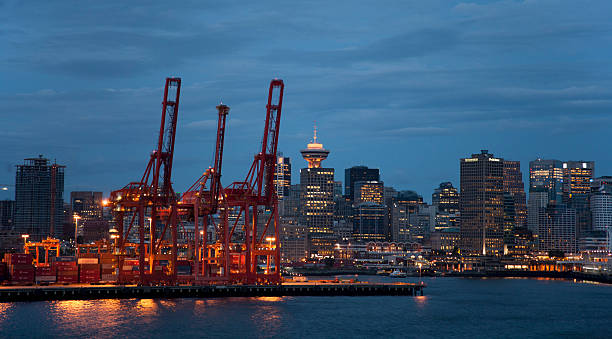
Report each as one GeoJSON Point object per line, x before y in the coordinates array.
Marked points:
{"type": "Point", "coordinates": [369, 222]}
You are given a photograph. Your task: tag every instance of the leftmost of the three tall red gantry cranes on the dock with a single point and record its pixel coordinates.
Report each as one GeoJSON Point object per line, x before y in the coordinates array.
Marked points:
{"type": "Point", "coordinates": [152, 197]}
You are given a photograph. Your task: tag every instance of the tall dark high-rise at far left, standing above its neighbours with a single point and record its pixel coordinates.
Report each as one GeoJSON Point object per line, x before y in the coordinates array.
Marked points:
{"type": "Point", "coordinates": [39, 191]}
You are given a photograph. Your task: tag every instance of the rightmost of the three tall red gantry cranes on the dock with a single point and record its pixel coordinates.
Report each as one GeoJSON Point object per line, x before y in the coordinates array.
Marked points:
{"type": "Point", "coordinates": [254, 202]}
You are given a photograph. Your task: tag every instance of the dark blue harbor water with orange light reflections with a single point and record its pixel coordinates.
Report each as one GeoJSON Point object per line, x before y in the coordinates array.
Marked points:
{"type": "Point", "coordinates": [451, 307]}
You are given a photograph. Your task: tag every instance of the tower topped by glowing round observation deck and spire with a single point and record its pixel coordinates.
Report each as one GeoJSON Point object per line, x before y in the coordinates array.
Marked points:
{"type": "Point", "coordinates": [317, 200]}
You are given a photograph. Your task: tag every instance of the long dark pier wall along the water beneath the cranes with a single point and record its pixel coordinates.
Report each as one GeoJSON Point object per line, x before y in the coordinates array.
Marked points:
{"type": "Point", "coordinates": [117, 292]}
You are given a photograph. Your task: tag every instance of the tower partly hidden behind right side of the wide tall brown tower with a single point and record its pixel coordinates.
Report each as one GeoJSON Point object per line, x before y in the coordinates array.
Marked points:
{"type": "Point", "coordinates": [513, 184]}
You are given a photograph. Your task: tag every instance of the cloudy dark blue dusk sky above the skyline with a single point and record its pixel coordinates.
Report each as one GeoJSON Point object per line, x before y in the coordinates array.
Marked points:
{"type": "Point", "coordinates": [409, 87]}
